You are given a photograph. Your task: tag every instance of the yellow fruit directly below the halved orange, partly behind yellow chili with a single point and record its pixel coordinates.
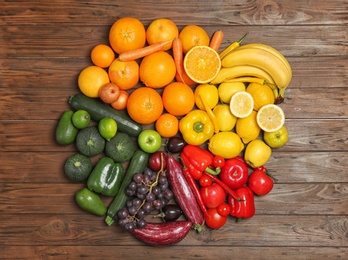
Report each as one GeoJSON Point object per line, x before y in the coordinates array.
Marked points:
{"type": "Point", "coordinates": [209, 93]}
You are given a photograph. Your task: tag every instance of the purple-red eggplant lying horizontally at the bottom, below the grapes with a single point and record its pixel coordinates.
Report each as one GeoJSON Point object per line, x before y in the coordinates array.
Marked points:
{"type": "Point", "coordinates": [163, 234]}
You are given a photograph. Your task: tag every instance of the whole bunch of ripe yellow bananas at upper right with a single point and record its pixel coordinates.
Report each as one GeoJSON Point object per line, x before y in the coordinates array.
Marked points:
{"type": "Point", "coordinates": [256, 62]}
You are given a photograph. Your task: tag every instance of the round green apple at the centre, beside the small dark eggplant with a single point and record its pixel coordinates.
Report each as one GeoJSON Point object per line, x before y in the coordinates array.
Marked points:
{"type": "Point", "coordinates": [149, 140]}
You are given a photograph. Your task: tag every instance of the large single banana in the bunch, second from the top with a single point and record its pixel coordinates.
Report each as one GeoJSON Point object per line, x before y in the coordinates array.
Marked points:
{"type": "Point", "coordinates": [261, 59]}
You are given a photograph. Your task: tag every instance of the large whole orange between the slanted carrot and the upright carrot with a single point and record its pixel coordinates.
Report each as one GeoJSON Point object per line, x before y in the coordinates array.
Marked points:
{"type": "Point", "coordinates": [157, 70]}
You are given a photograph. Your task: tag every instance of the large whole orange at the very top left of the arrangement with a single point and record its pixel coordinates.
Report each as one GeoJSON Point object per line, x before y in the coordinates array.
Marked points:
{"type": "Point", "coordinates": [126, 34]}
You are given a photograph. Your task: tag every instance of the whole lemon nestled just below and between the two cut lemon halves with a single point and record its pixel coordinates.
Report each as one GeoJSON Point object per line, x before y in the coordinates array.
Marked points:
{"type": "Point", "coordinates": [247, 128]}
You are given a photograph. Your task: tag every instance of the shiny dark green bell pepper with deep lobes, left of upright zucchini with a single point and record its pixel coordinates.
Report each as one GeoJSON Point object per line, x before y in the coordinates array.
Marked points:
{"type": "Point", "coordinates": [106, 177]}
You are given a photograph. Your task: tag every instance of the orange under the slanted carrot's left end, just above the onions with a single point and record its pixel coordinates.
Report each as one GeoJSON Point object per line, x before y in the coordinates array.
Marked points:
{"type": "Point", "coordinates": [125, 74]}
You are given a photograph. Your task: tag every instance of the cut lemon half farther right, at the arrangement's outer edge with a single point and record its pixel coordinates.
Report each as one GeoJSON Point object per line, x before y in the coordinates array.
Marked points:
{"type": "Point", "coordinates": [270, 118]}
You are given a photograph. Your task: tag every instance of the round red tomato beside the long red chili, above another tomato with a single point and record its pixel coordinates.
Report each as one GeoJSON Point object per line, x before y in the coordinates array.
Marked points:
{"type": "Point", "coordinates": [213, 195]}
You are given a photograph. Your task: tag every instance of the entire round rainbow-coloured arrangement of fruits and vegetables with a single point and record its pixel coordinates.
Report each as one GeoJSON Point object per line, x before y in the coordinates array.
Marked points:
{"type": "Point", "coordinates": [182, 130]}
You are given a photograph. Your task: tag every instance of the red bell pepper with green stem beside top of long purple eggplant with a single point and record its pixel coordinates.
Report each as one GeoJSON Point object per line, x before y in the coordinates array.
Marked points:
{"type": "Point", "coordinates": [197, 160]}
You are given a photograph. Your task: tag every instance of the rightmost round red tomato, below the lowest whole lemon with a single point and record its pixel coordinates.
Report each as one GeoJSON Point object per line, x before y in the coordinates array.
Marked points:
{"type": "Point", "coordinates": [260, 183]}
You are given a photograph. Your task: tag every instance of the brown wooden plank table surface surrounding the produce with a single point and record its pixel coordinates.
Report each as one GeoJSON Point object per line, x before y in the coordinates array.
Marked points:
{"type": "Point", "coordinates": [45, 44]}
